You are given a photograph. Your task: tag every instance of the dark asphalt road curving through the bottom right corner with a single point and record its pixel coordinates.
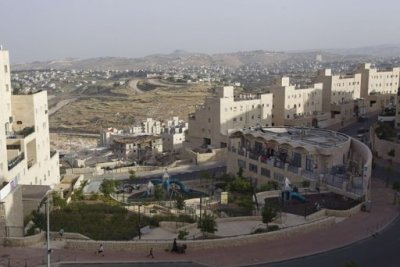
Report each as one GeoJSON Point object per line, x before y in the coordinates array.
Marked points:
{"type": "Point", "coordinates": [381, 250]}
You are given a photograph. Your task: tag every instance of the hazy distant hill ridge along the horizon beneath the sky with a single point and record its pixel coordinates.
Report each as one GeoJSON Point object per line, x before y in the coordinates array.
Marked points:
{"type": "Point", "coordinates": [180, 58]}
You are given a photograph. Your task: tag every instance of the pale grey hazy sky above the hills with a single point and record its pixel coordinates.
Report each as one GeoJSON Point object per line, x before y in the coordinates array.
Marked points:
{"type": "Point", "coordinates": [50, 29]}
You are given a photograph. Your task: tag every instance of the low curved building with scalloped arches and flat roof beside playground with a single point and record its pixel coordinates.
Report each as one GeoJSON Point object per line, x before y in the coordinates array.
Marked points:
{"type": "Point", "coordinates": [324, 157]}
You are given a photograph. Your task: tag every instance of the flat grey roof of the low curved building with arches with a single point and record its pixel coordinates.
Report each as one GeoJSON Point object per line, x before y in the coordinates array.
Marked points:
{"type": "Point", "coordinates": [297, 136]}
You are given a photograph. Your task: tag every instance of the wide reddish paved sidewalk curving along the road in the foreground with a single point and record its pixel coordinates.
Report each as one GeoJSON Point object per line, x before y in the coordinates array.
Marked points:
{"type": "Point", "coordinates": [357, 227]}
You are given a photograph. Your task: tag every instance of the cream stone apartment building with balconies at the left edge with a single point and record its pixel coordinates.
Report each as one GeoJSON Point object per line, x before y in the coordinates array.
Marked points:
{"type": "Point", "coordinates": [25, 155]}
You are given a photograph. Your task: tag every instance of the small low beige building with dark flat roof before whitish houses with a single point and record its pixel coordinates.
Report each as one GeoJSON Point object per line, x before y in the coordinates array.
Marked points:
{"type": "Point", "coordinates": [137, 148]}
